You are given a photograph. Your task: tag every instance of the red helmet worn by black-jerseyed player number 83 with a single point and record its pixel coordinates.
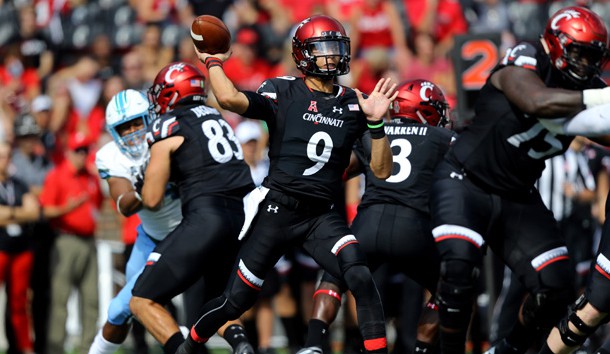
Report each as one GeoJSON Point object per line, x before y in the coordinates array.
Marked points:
{"type": "Point", "coordinates": [176, 81]}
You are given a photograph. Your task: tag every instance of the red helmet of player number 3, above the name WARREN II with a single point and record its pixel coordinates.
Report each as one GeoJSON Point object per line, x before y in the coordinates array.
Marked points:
{"type": "Point", "coordinates": [421, 101]}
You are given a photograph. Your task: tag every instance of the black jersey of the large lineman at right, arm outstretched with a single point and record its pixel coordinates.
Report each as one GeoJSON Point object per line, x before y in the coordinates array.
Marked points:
{"type": "Point", "coordinates": [504, 149]}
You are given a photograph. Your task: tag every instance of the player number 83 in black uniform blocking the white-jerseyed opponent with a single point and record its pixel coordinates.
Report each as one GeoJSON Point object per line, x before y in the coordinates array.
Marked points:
{"type": "Point", "coordinates": [192, 145]}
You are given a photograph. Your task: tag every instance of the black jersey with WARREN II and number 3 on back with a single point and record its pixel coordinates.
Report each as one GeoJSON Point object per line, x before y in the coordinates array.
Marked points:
{"type": "Point", "coordinates": [416, 150]}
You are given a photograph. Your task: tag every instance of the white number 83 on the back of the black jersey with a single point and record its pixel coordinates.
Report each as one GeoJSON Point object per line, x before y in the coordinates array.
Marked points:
{"type": "Point", "coordinates": [218, 144]}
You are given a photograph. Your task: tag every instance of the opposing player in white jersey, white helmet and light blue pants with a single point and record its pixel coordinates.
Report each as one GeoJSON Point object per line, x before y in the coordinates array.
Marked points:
{"type": "Point", "coordinates": [119, 163]}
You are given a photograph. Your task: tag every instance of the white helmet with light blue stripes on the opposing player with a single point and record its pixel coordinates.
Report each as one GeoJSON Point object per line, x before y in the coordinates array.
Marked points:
{"type": "Point", "coordinates": [125, 107]}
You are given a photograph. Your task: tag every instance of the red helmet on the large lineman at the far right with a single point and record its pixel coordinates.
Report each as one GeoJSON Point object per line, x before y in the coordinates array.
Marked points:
{"type": "Point", "coordinates": [577, 41]}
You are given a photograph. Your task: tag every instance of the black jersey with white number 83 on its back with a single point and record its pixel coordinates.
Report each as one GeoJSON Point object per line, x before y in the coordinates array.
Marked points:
{"type": "Point", "coordinates": [210, 160]}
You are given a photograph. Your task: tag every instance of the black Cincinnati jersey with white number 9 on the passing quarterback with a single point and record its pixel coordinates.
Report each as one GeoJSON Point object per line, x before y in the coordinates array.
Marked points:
{"type": "Point", "coordinates": [311, 135]}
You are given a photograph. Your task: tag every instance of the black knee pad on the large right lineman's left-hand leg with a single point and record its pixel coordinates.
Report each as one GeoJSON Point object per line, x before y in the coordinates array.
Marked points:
{"type": "Point", "coordinates": [456, 292]}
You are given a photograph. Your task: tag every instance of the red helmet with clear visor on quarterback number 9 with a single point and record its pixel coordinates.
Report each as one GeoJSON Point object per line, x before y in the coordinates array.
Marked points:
{"type": "Point", "coordinates": [321, 37]}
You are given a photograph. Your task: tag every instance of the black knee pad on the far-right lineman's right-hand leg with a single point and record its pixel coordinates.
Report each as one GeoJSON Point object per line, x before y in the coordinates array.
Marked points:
{"type": "Point", "coordinates": [542, 310]}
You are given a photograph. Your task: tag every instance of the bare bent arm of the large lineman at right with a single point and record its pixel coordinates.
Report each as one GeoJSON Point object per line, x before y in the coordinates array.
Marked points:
{"type": "Point", "coordinates": [528, 92]}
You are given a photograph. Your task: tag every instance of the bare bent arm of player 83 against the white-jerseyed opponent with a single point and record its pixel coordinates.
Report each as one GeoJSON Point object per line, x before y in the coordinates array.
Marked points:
{"type": "Point", "coordinates": [158, 171]}
